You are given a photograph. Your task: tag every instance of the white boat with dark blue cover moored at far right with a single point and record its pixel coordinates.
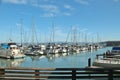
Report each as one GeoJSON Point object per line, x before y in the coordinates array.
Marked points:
{"type": "Point", "coordinates": [108, 59]}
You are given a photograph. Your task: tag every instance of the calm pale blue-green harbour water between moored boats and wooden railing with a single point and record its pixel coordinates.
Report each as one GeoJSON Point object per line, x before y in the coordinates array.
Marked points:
{"type": "Point", "coordinates": [71, 60]}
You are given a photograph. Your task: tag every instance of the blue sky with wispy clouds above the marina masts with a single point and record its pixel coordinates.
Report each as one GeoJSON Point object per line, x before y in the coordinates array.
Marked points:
{"type": "Point", "coordinates": [91, 18]}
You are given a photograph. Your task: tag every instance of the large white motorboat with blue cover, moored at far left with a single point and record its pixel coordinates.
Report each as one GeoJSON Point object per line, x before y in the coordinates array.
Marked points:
{"type": "Point", "coordinates": [10, 50]}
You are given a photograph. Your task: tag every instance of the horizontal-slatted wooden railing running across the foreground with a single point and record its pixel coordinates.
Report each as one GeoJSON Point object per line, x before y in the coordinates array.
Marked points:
{"type": "Point", "coordinates": [58, 73]}
